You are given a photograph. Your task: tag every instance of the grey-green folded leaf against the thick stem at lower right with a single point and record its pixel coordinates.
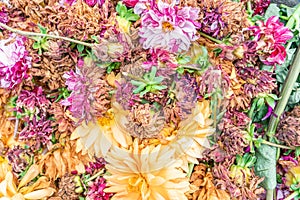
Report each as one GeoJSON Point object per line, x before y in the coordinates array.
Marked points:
{"type": "Point", "coordinates": [265, 165]}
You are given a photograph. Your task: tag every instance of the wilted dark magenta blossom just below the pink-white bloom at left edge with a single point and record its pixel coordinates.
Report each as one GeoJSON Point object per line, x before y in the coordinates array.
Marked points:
{"type": "Point", "coordinates": [34, 100]}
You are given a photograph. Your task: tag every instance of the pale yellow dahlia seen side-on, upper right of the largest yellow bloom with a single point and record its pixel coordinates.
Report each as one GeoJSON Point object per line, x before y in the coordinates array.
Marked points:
{"type": "Point", "coordinates": [191, 138]}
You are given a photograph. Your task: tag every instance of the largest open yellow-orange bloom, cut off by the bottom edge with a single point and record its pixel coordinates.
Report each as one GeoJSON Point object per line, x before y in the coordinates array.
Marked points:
{"type": "Point", "coordinates": [147, 174]}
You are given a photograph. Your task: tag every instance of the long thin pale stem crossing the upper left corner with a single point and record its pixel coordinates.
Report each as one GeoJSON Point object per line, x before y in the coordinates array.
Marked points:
{"type": "Point", "coordinates": [32, 34]}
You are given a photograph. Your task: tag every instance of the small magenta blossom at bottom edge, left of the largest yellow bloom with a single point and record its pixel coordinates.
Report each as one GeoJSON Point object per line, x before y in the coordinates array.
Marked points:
{"type": "Point", "coordinates": [95, 190]}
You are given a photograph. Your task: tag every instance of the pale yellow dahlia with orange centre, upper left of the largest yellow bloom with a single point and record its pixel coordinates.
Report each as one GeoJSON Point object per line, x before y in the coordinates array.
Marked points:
{"type": "Point", "coordinates": [96, 138]}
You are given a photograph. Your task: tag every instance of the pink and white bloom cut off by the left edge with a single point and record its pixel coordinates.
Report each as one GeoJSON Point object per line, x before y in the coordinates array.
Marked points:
{"type": "Point", "coordinates": [14, 62]}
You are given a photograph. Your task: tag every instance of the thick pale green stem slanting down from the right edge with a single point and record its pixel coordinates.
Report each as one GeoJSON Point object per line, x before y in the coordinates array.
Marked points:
{"type": "Point", "coordinates": [285, 94]}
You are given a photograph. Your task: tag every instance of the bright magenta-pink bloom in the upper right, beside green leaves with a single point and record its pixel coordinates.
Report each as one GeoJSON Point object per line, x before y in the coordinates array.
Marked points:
{"type": "Point", "coordinates": [270, 37]}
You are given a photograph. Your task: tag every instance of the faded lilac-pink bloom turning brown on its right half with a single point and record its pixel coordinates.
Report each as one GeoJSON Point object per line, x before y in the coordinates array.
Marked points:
{"type": "Point", "coordinates": [87, 86]}
